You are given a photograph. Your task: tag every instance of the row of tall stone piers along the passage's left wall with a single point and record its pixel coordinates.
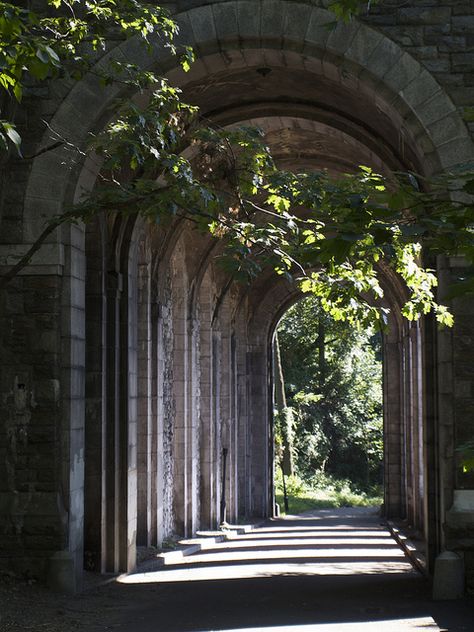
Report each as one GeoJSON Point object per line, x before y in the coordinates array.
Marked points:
{"type": "Point", "coordinates": [163, 373]}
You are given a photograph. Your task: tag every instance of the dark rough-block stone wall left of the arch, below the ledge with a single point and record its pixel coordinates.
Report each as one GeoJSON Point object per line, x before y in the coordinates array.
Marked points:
{"type": "Point", "coordinates": [32, 512]}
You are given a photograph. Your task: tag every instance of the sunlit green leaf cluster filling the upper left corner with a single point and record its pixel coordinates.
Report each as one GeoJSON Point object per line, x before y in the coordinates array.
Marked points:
{"type": "Point", "coordinates": [65, 39]}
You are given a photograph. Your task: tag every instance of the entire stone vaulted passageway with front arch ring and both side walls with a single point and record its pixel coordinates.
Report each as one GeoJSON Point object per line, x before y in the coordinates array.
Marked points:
{"type": "Point", "coordinates": [158, 361]}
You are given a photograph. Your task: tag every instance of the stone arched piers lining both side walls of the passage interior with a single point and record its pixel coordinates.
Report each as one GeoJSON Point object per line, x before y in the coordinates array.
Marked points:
{"type": "Point", "coordinates": [177, 373]}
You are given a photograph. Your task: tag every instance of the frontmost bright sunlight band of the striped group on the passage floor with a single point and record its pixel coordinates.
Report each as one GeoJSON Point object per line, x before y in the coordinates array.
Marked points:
{"type": "Point", "coordinates": [249, 571]}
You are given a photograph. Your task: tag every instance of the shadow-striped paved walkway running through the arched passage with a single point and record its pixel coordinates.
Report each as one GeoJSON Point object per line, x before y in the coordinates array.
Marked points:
{"type": "Point", "coordinates": [326, 571]}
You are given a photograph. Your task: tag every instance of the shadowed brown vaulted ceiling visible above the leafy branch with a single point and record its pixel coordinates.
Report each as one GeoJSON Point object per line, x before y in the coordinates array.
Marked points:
{"type": "Point", "coordinates": [310, 120]}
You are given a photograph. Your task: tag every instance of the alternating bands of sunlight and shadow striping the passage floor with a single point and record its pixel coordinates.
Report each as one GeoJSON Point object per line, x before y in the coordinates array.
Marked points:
{"type": "Point", "coordinates": [276, 551]}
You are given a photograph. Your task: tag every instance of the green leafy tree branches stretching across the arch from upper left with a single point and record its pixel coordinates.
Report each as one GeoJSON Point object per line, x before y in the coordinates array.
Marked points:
{"type": "Point", "coordinates": [330, 235]}
